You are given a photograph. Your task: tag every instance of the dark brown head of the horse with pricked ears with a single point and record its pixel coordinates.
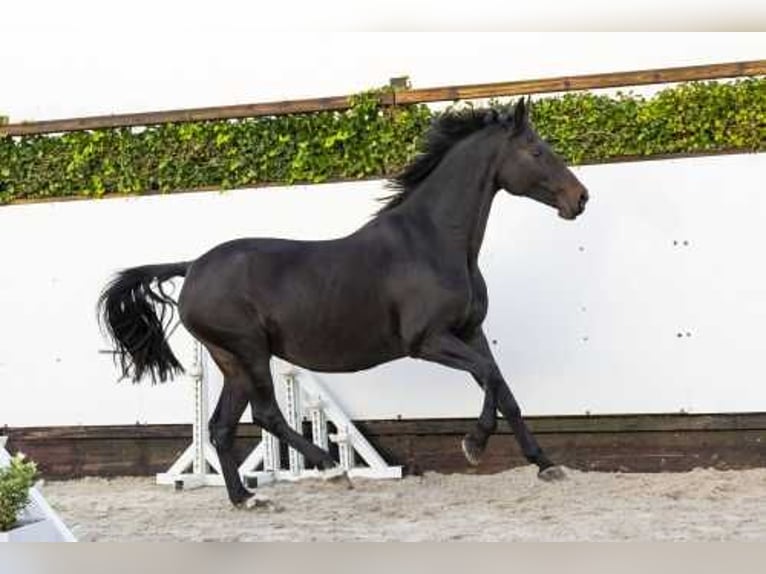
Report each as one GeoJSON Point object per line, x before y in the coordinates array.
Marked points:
{"type": "Point", "coordinates": [529, 167]}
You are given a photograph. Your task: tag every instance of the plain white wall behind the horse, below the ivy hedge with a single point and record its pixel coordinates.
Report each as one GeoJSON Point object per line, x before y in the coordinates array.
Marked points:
{"type": "Point", "coordinates": [585, 314]}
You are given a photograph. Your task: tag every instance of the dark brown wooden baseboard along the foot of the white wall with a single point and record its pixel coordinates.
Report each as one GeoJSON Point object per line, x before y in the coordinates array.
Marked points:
{"type": "Point", "coordinates": [646, 443]}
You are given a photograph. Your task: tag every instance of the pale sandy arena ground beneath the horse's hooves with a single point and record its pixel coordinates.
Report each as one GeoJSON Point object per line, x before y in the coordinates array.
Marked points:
{"type": "Point", "coordinates": [512, 505]}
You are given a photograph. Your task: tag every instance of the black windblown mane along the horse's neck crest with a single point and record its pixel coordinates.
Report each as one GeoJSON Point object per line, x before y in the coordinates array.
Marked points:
{"type": "Point", "coordinates": [445, 131]}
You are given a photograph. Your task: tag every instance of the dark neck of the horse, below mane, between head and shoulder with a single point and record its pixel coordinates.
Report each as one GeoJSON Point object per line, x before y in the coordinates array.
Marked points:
{"type": "Point", "coordinates": [457, 197]}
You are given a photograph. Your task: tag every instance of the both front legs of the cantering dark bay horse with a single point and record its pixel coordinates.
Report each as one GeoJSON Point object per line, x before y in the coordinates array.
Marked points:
{"type": "Point", "coordinates": [475, 357]}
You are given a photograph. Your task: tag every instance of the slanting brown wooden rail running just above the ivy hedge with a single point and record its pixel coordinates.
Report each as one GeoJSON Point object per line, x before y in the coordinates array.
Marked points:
{"type": "Point", "coordinates": [424, 95]}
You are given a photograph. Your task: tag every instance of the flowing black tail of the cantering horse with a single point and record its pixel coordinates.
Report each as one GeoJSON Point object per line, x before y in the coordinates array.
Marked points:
{"type": "Point", "coordinates": [136, 311]}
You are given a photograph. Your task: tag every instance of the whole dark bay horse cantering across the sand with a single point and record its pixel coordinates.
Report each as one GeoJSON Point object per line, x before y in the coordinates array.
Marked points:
{"type": "Point", "coordinates": [406, 284]}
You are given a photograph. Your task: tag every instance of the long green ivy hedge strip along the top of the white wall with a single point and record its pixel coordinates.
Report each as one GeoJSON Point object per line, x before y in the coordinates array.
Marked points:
{"type": "Point", "coordinates": [367, 140]}
